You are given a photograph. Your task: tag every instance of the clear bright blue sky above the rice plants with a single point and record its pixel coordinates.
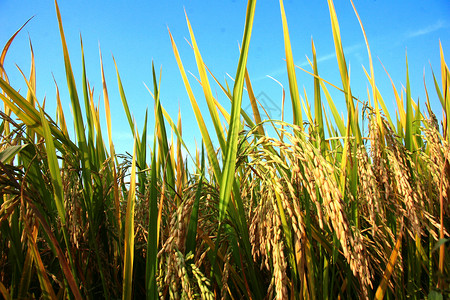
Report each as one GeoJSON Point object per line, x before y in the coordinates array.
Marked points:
{"type": "Point", "coordinates": [135, 32]}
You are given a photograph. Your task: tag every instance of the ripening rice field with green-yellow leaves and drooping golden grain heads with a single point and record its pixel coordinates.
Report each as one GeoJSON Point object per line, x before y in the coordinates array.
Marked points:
{"type": "Point", "coordinates": [325, 207]}
